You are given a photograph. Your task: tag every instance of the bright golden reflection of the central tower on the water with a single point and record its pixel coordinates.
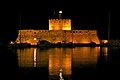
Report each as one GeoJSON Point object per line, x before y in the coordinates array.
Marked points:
{"type": "Point", "coordinates": [60, 58]}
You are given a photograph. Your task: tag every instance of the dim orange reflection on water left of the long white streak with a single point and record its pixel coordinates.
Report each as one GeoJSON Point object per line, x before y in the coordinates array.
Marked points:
{"type": "Point", "coordinates": [25, 57]}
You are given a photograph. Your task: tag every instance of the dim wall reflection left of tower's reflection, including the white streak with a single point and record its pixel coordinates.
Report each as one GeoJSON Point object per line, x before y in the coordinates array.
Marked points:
{"type": "Point", "coordinates": [32, 57]}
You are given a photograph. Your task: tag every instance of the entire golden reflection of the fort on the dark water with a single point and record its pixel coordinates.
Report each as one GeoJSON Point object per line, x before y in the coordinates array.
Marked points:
{"type": "Point", "coordinates": [67, 59]}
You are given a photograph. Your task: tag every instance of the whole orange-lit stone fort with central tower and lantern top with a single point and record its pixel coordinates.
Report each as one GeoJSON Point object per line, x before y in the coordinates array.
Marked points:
{"type": "Point", "coordinates": [59, 31]}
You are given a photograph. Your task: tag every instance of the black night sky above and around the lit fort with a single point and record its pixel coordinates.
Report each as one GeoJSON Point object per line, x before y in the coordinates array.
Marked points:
{"type": "Point", "coordinates": [83, 16]}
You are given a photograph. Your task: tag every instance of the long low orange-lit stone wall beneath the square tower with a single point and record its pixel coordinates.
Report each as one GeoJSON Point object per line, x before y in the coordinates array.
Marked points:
{"type": "Point", "coordinates": [55, 36]}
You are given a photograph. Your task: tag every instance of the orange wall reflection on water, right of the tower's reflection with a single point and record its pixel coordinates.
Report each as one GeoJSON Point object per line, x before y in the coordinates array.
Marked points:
{"type": "Point", "coordinates": [85, 56]}
